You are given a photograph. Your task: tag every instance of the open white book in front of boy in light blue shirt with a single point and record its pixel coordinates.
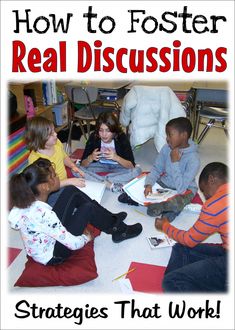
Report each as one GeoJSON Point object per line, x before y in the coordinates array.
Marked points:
{"type": "Point", "coordinates": [135, 189]}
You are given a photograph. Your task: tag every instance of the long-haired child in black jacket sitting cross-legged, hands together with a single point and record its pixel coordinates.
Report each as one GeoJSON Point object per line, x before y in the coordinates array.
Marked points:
{"type": "Point", "coordinates": [108, 150]}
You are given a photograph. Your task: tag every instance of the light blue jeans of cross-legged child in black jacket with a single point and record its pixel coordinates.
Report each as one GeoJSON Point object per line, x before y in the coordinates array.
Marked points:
{"type": "Point", "coordinates": [115, 173]}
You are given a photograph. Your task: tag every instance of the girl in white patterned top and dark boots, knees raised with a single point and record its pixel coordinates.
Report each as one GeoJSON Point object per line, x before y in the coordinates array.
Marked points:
{"type": "Point", "coordinates": [50, 235]}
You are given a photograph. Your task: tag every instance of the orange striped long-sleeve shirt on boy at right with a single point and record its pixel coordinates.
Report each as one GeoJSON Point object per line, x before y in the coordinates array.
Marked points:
{"type": "Point", "coordinates": [212, 219]}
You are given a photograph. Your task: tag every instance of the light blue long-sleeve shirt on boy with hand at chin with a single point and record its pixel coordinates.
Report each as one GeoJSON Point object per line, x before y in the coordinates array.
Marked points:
{"type": "Point", "coordinates": [178, 175]}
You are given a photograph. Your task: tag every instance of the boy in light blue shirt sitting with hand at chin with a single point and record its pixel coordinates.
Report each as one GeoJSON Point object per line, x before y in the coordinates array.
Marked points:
{"type": "Point", "coordinates": [175, 167]}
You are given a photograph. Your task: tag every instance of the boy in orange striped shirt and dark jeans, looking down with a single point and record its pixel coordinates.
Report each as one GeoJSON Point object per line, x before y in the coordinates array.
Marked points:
{"type": "Point", "coordinates": [193, 266]}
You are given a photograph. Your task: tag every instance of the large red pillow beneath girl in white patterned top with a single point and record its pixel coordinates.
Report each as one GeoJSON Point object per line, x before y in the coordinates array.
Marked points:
{"type": "Point", "coordinates": [79, 268]}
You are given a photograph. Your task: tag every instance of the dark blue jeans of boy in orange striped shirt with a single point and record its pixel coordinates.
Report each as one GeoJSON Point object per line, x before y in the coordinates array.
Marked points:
{"type": "Point", "coordinates": [199, 269]}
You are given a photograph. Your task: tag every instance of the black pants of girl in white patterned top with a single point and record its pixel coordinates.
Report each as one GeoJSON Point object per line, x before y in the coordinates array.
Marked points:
{"type": "Point", "coordinates": [75, 210]}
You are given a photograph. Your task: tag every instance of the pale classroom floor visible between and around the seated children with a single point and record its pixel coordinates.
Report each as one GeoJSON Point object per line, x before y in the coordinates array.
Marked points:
{"type": "Point", "coordinates": [114, 259]}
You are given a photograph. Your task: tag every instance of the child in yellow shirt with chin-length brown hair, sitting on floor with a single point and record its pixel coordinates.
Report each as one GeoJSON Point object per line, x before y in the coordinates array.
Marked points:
{"type": "Point", "coordinates": [41, 139]}
